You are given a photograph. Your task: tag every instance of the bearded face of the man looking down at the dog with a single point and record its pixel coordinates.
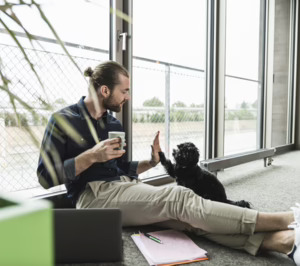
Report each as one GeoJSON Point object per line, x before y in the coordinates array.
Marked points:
{"type": "Point", "coordinates": [119, 95]}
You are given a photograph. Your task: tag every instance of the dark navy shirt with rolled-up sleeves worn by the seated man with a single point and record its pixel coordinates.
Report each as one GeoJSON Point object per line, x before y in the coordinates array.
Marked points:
{"type": "Point", "coordinates": [70, 132]}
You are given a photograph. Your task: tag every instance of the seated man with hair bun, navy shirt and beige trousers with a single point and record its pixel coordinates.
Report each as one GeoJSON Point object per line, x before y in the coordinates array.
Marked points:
{"type": "Point", "coordinates": [75, 151]}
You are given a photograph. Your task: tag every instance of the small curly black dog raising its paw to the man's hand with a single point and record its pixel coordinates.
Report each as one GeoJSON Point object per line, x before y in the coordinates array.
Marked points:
{"type": "Point", "coordinates": [189, 174]}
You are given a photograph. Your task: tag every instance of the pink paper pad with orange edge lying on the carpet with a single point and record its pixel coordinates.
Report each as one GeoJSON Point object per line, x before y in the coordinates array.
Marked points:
{"type": "Point", "coordinates": [176, 248]}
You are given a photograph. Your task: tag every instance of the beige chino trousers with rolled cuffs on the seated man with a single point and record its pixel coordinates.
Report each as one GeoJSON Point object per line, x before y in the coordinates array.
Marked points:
{"type": "Point", "coordinates": [175, 207]}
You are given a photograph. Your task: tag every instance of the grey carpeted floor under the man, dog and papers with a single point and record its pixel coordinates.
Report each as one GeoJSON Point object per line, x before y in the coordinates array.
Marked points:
{"type": "Point", "coordinates": [274, 188]}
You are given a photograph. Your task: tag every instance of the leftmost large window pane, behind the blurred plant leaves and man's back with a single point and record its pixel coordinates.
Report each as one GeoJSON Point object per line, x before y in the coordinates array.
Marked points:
{"type": "Point", "coordinates": [85, 26]}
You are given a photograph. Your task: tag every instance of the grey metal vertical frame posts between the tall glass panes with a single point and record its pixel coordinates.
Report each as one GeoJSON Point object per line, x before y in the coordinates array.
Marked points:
{"type": "Point", "coordinates": [215, 78]}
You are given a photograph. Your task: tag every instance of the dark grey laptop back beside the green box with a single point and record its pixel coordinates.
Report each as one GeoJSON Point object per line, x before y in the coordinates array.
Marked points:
{"type": "Point", "coordinates": [87, 235]}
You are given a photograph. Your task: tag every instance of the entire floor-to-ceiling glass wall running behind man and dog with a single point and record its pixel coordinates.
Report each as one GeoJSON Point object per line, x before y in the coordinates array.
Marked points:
{"type": "Point", "coordinates": [168, 76]}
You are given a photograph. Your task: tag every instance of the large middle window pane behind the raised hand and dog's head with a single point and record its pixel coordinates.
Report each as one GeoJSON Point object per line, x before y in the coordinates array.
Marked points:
{"type": "Point", "coordinates": [168, 87]}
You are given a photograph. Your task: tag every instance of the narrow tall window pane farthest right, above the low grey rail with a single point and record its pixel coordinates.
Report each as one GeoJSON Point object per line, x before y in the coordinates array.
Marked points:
{"type": "Point", "coordinates": [241, 75]}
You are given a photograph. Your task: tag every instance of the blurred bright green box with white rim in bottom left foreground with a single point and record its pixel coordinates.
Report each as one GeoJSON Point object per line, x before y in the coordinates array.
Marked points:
{"type": "Point", "coordinates": [26, 232]}
